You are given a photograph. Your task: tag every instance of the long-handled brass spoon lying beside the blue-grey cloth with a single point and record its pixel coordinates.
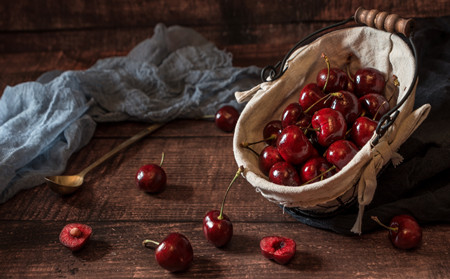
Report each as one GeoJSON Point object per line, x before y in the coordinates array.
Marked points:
{"type": "Point", "coordinates": [67, 184]}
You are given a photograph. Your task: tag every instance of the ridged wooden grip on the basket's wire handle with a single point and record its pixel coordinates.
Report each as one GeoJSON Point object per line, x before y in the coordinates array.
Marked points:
{"type": "Point", "coordinates": [384, 21]}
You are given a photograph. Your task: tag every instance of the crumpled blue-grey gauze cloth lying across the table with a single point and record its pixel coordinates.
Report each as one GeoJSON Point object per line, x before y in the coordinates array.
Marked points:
{"type": "Point", "coordinates": [176, 73]}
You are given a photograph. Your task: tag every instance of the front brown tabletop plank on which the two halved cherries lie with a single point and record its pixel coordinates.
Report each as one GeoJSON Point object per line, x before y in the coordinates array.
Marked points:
{"type": "Point", "coordinates": [115, 250]}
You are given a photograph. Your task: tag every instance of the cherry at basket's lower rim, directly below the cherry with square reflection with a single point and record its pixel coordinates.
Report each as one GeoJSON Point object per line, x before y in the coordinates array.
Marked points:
{"type": "Point", "coordinates": [340, 152]}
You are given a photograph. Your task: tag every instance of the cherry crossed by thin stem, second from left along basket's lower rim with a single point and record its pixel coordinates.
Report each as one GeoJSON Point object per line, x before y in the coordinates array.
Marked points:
{"type": "Point", "coordinates": [316, 169]}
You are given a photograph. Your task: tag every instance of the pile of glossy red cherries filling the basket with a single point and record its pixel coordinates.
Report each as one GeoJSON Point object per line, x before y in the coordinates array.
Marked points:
{"type": "Point", "coordinates": [318, 135]}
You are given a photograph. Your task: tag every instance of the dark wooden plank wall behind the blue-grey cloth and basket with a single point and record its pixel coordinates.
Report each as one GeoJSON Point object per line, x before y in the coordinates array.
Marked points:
{"type": "Point", "coordinates": [74, 34]}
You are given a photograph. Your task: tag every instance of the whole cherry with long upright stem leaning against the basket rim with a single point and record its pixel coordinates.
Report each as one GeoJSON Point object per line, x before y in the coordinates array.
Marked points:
{"type": "Point", "coordinates": [217, 227]}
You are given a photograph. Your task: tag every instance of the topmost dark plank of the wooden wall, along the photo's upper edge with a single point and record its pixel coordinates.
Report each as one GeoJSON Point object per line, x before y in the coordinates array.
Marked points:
{"type": "Point", "coordinates": [231, 14]}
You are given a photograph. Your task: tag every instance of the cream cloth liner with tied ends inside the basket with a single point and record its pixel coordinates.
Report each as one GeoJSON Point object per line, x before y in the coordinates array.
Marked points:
{"type": "Point", "coordinates": [370, 48]}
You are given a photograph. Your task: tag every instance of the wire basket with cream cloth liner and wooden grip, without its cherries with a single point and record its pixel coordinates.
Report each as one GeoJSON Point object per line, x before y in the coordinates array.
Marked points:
{"type": "Point", "coordinates": [384, 43]}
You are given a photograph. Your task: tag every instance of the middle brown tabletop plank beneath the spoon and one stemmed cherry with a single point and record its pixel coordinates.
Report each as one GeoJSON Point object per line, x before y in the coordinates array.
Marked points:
{"type": "Point", "coordinates": [198, 175]}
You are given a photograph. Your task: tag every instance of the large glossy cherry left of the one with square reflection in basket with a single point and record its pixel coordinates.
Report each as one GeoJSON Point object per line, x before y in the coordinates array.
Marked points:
{"type": "Point", "coordinates": [294, 146]}
